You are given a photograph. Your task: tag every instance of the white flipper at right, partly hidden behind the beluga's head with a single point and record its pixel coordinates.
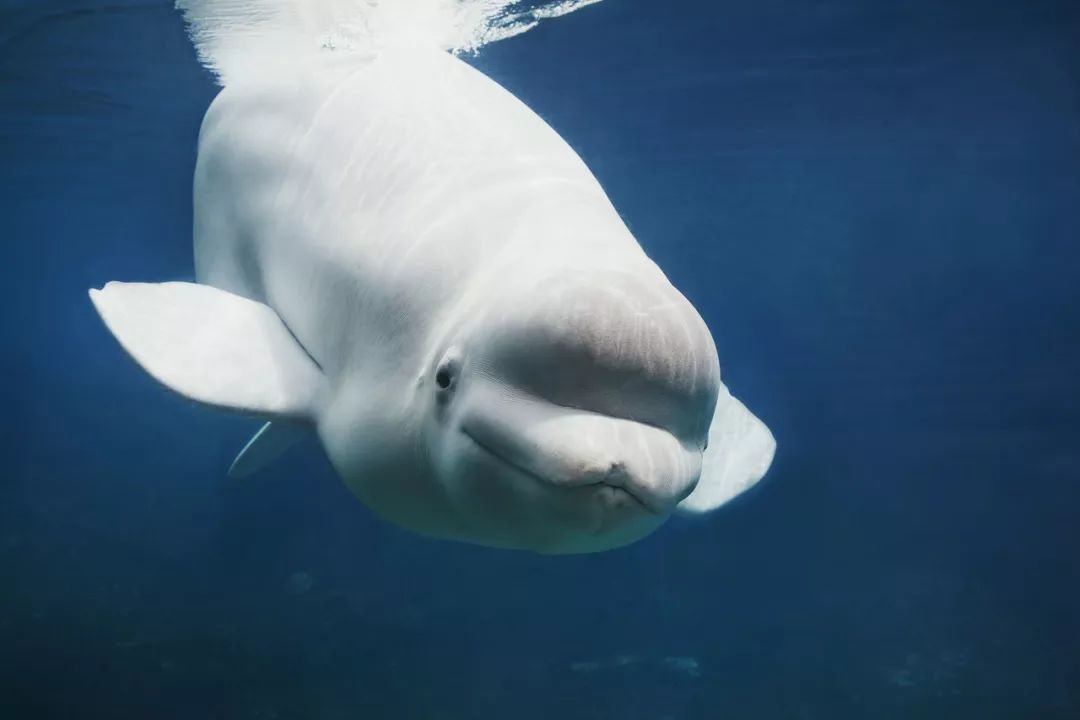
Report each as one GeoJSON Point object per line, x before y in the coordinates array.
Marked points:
{"type": "Point", "coordinates": [739, 455]}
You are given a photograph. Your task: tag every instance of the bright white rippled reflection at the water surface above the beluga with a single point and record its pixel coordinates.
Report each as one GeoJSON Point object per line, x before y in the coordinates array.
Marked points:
{"type": "Point", "coordinates": [235, 38]}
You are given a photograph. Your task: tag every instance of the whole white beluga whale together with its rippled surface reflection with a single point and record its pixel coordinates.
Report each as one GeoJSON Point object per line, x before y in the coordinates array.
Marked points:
{"type": "Point", "coordinates": [396, 253]}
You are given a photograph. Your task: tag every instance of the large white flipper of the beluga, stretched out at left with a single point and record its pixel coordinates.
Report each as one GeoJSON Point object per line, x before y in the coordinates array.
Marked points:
{"type": "Point", "coordinates": [213, 347]}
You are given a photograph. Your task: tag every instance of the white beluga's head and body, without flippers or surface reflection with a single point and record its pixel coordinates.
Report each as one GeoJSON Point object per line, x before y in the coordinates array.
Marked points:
{"type": "Point", "coordinates": [416, 226]}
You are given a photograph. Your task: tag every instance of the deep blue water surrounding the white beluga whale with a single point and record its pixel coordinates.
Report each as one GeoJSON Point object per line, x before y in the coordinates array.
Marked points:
{"type": "Point", "coordinates": [874, 205]}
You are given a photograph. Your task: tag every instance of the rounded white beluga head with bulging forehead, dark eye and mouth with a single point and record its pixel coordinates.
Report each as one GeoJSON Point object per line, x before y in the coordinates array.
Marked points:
{"type": "Point", "coordinates": [572, 413]}
